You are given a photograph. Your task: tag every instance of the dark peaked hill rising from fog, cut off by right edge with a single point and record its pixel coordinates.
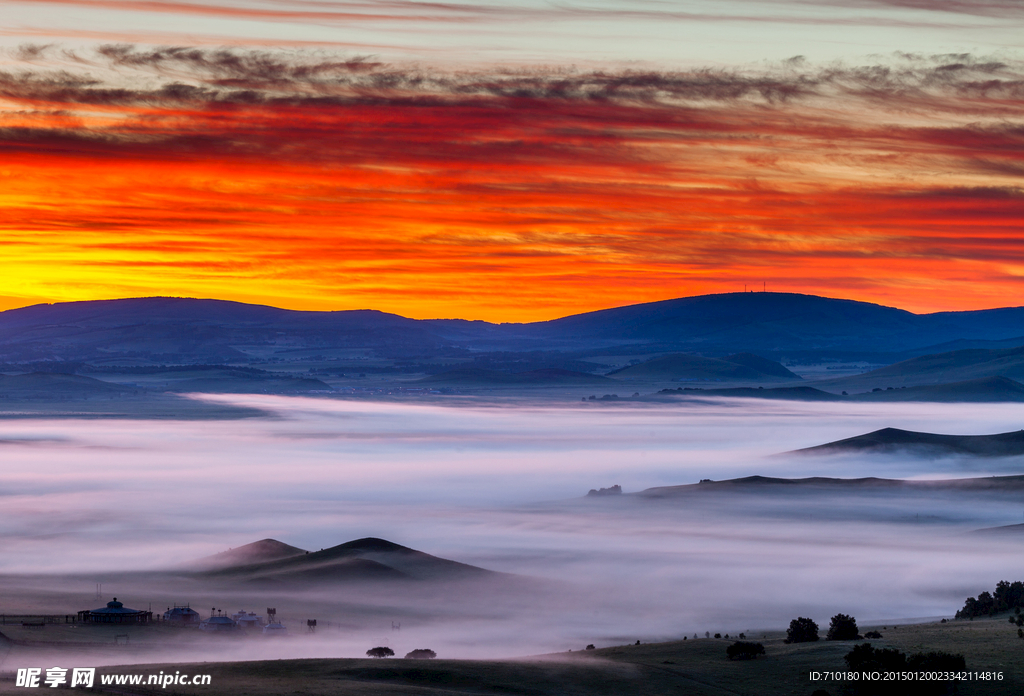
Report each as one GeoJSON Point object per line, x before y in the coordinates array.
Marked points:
{"type": "Point", "coordinates": [897, 441]}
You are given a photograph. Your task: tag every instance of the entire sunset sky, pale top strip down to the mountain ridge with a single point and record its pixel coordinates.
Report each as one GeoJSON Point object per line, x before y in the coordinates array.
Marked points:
{"type": "Point", "coordinates": [515, 161]}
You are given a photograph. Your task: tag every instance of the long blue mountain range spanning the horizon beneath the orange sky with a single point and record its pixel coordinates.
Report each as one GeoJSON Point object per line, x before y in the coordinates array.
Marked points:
{"type": "Point", "coordinates": [177, 331]}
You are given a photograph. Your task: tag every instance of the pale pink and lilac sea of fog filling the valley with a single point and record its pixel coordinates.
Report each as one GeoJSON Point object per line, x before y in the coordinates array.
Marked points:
{"type": "Point", "coordinates": [500, 487]}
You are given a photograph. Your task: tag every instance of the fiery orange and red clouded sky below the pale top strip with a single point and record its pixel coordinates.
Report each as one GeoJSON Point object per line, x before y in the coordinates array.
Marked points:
{"type": "Point", "coordinates": [306, 182]}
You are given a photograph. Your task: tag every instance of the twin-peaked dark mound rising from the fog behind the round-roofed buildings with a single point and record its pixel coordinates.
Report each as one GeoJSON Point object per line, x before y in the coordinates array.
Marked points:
{"type": "Point", "coordinates": [363, 560]}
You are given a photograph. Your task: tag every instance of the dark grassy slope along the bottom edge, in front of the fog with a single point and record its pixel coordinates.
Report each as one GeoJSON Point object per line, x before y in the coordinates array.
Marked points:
{"type": "Point", "coordinates": [696, 668]}
